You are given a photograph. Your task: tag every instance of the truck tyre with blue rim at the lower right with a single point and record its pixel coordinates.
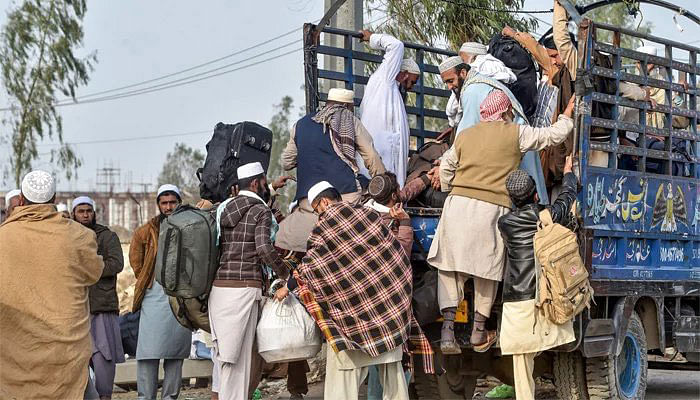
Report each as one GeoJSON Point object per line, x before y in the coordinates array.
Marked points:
{"type": "Point", "coordinates": [622, 377]}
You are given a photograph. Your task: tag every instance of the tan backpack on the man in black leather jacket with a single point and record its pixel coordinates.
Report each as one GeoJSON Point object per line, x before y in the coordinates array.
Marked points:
{"type": "Point", "coordinates": [563, 287]}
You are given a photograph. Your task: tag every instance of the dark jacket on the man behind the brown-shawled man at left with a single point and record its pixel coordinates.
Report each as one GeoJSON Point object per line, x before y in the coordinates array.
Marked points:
{"type": "Point", "coordinates": [103, 294]}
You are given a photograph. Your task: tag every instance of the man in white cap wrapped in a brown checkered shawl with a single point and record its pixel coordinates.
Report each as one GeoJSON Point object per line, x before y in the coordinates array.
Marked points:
{"type": "Point", "coordinates": [356, 282]}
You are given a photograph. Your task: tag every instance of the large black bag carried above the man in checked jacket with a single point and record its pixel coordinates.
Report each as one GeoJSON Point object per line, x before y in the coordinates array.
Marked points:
{"type": "Point", "coordinates": [230, 147]}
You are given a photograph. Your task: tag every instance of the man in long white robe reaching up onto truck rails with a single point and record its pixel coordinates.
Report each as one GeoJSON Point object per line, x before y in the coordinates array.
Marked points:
{"type": "Point", "coordinates": [382, 110]}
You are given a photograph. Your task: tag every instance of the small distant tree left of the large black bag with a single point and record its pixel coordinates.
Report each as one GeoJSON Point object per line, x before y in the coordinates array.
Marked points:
{"type": "Point", "coordinates": [180, 169]}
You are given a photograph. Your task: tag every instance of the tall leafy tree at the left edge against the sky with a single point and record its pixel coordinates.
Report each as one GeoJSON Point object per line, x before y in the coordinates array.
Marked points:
{"type": "Point", "coordinates": [37, 47]}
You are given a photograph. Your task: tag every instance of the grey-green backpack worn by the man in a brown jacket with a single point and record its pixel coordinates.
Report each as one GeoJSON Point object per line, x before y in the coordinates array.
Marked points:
{"type": "Point", "coordinates": [186, 264]}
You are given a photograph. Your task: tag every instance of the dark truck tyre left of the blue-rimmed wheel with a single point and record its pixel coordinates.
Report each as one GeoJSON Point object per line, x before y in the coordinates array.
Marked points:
{"type": "Point", "coordinates": [570, 376]}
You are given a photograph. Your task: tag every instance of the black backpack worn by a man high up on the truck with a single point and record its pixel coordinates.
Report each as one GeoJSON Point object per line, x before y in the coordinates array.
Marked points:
{"type": "Point", "coordinates": [515, 57]}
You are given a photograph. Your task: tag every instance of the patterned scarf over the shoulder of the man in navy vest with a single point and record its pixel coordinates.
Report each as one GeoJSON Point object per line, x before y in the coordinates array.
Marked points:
{"type": "Point", "coordinates": [341, 123]}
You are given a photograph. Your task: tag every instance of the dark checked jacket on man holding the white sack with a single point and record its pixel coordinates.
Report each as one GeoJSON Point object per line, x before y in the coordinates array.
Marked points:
{"type": "Point", "coordinates": [245, 242]}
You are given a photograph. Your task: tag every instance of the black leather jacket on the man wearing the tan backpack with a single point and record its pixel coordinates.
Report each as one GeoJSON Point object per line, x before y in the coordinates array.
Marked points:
{"type": "Point", "coordinates": [518, 229]}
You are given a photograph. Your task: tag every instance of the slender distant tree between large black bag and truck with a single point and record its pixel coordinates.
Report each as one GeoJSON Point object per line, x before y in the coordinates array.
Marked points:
{"type": "Point", "coordinates": [281, 128]}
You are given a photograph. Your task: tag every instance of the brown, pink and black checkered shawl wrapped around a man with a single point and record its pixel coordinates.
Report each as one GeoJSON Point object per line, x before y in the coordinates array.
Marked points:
{"type": "Point", "coordinates": [356, 284]}
